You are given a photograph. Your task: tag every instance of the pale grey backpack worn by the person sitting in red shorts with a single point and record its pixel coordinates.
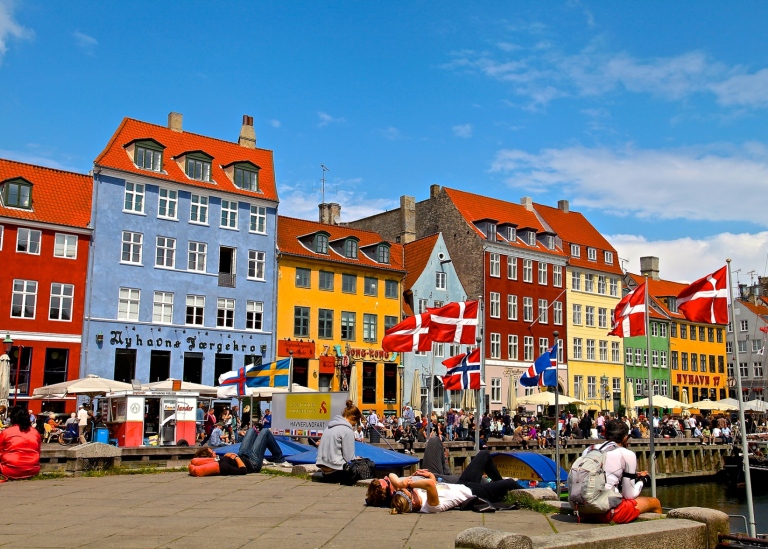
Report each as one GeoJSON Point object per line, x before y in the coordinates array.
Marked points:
{"type": "Point", "coordinates": [586, 481]}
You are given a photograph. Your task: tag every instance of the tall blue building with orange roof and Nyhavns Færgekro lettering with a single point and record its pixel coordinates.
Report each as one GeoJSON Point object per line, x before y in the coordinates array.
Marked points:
{"type": "Point", "coordinates": [181, 278]}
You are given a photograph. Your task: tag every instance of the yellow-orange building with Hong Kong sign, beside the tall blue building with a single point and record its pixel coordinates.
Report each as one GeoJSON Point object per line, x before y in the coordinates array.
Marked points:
{"type": "Point", "coordinates": [338, 291]}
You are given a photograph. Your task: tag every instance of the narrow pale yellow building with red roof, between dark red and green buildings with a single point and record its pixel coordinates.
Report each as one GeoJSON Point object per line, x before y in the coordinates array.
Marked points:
{"type": "Point", "coordinates": [593, 286]}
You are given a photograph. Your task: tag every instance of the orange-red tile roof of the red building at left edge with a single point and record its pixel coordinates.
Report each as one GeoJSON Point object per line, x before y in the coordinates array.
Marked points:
{"type": "Point", "coordinates": [58, 197]}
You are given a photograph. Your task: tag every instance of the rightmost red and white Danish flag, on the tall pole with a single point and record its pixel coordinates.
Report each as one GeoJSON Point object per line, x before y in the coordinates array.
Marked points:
{"type": "Point", "coordinates": [706, 300]}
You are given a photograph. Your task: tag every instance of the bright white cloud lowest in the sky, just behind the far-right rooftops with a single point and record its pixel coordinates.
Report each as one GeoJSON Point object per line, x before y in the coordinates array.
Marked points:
{"type": "Point", "coordinates": [687, 259]}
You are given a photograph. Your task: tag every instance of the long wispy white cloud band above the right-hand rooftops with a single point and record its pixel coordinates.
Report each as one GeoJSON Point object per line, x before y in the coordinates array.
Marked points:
{"type": "Point", "coordinates": [702, 183]}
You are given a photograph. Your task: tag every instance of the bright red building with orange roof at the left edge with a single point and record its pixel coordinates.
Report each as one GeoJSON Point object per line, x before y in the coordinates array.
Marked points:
{"type": "Point", "coordinates": [44, 239]}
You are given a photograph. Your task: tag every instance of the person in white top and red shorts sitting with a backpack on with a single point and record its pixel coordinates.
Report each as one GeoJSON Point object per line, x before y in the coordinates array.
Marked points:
{"type": "Point", "coordinates": [621, 476]}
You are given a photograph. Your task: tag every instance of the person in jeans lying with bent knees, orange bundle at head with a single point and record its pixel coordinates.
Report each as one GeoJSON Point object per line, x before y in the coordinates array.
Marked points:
{"type": "Point", "coordinates": [249, 459]}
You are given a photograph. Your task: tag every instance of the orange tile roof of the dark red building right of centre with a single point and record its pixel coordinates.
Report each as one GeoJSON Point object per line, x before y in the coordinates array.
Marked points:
{"type": "Point", "coordinates": [475, 207]}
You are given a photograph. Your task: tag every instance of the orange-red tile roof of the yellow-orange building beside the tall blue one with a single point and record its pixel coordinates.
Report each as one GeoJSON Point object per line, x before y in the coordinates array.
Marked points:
{"type": "Point", "coordinates": [290, 229]}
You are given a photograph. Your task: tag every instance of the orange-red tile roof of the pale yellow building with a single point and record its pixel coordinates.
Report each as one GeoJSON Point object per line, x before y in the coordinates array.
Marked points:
{"type": "Point", "coordinates": [573, 228]}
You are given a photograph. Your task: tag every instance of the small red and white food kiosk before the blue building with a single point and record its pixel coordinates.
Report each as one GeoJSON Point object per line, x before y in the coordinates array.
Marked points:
{"type": "Point", "coordinates": [150, 418]}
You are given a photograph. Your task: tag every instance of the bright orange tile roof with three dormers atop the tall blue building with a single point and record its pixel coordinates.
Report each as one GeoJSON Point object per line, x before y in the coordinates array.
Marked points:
{"type": "Point", "coordinates": [224, 153]}
